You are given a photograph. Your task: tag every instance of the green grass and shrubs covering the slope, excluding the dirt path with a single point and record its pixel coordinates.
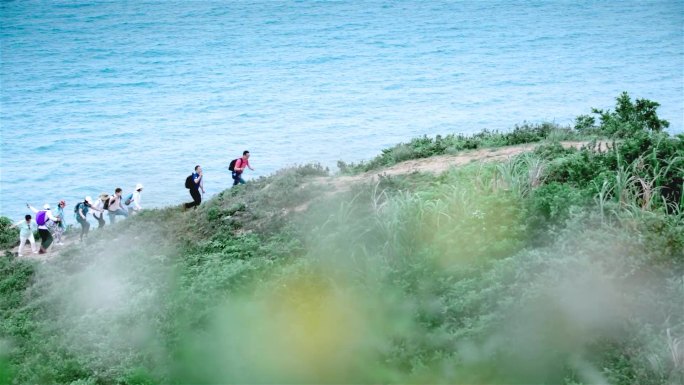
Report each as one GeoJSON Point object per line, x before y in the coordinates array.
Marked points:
{"type": "Point", "coordinates": [558, 266]}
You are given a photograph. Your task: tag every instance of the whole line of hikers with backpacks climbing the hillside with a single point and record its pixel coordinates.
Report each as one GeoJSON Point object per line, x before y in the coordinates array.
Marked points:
{"type": "Point", "coordinates": [51, 224]}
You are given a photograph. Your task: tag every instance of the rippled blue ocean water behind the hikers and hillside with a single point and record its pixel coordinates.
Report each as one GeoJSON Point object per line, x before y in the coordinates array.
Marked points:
{"type": "Point", "coordinates": [97, 95]}
